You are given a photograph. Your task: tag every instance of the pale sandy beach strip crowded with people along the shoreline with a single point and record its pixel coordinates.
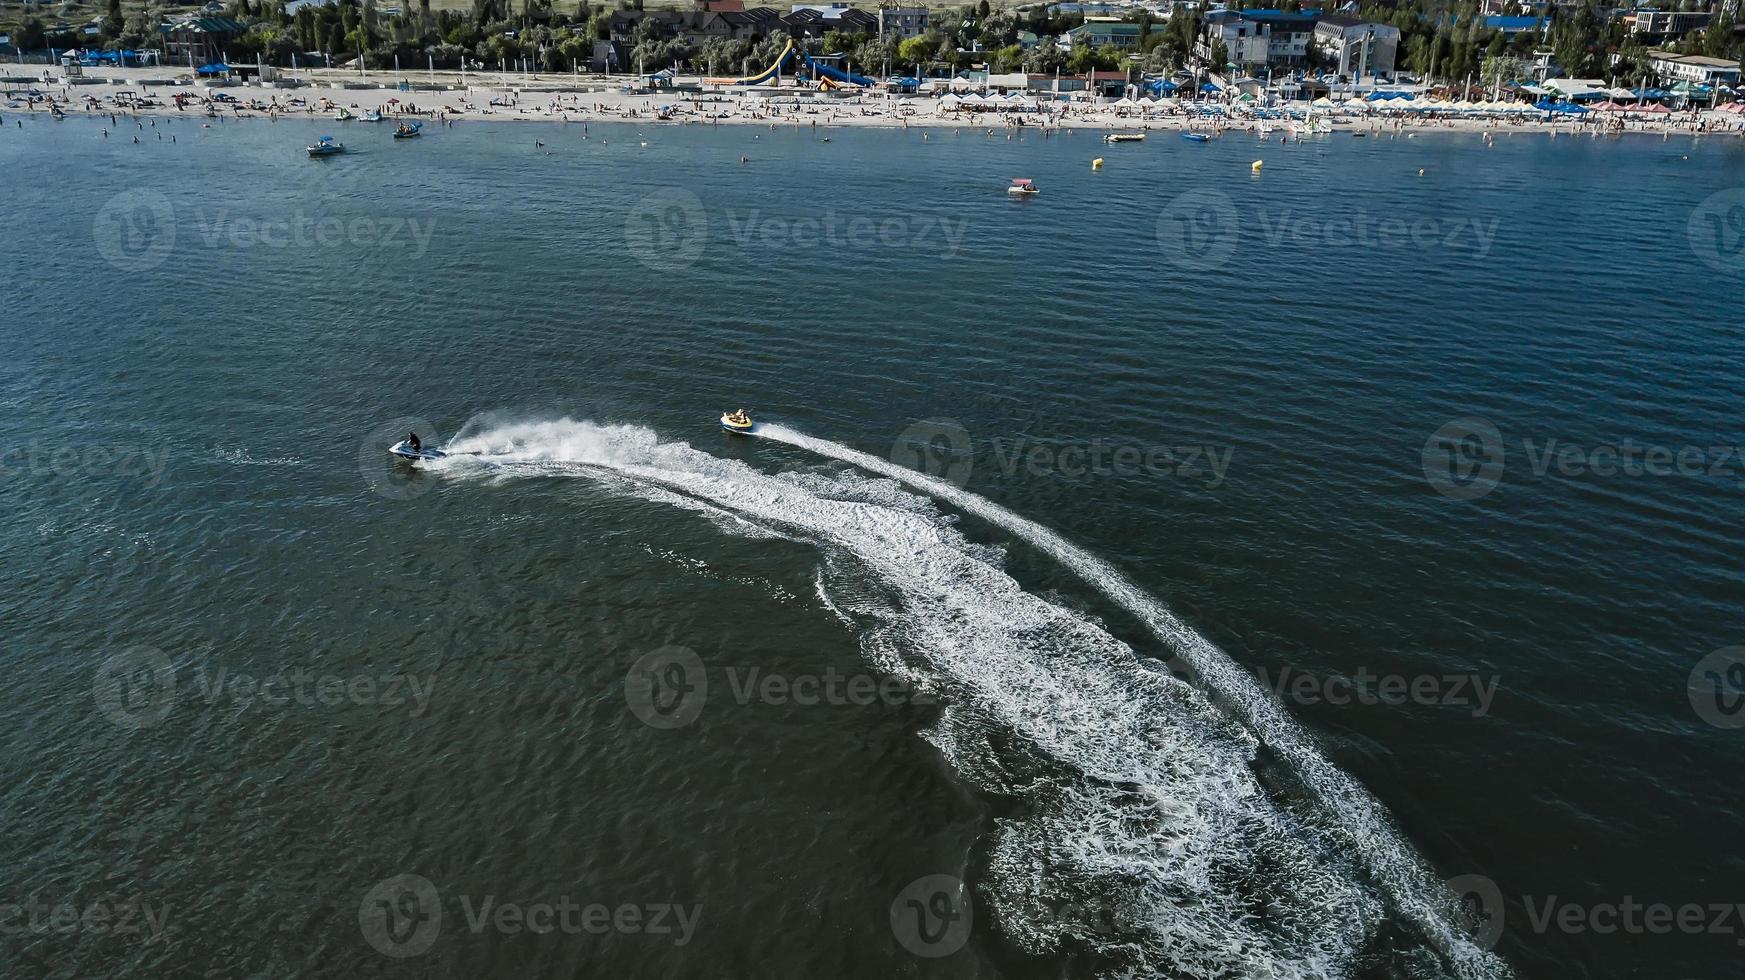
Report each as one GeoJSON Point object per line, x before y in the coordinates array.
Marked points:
{"type": "Point", "coordinates": [448, 99]}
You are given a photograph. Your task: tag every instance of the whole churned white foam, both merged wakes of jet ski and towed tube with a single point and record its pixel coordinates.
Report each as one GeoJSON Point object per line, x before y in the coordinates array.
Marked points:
{"type": "Point", "coordinates": [1140, 829]}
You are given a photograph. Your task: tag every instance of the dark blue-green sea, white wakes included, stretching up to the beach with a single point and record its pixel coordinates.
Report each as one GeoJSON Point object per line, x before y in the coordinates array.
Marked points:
{"type": "Point", "coordinates": [1186, 573]}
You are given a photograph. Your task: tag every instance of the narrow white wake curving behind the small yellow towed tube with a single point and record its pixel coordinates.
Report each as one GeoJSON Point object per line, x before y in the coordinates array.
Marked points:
{"type": "Point", "coordinates": [1358, 819]}
